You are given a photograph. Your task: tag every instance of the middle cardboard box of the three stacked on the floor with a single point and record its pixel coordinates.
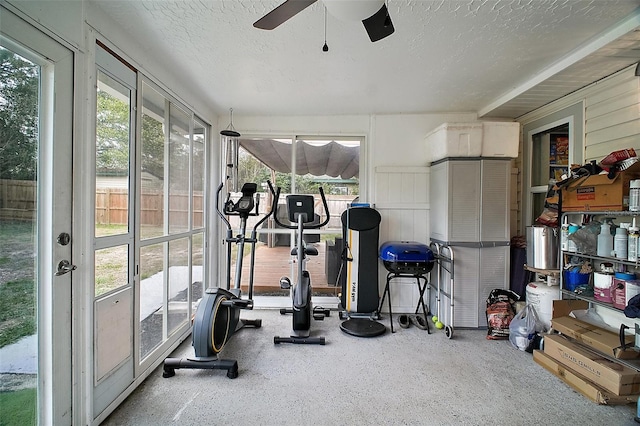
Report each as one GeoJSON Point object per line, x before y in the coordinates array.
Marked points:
{"type": "Point", "coordinates": [610, 375]}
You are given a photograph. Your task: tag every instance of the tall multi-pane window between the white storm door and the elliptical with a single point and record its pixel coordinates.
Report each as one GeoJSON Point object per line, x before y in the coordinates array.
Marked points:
{"type": "Point", "coordinates": [172, 217]}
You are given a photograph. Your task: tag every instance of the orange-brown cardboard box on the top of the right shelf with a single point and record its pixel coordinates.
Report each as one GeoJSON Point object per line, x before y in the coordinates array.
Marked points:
{"type": "Point", "coordinates": [598, 192]}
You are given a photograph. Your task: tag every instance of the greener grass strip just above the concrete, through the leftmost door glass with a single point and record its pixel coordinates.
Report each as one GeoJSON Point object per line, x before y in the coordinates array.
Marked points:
{"type": "Point", "coordinates": [17, 311]}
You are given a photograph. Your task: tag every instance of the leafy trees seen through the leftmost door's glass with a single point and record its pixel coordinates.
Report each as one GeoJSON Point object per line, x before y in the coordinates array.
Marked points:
{"type": "Point", "coordinates": [19, 83]}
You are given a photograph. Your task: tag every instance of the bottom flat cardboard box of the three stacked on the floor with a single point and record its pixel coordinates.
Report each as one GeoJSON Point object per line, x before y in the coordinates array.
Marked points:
{"type": "Point", "coordinates": [581, 384]}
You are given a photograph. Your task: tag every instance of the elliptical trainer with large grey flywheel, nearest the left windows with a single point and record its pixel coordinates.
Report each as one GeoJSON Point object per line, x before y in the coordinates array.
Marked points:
{"type": "Point", "coordinates": [218, 313]}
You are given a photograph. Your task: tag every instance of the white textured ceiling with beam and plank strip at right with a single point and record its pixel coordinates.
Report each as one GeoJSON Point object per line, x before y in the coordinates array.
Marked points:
{"type": "Point", "coordinates": [500, 58]}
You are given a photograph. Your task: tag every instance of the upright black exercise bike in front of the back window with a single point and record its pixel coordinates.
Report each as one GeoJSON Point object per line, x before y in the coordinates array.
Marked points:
{"type": "Point", "coordinates": [301, 211]}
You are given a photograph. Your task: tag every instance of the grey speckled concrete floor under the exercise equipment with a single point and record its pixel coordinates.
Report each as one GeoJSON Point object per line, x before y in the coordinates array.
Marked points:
{"type": "Point", "coordinates": [406, 378]}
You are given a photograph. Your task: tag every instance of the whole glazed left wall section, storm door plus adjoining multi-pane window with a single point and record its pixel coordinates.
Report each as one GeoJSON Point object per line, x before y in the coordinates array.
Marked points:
{"type": "Point", "coordinates": [150, 195]}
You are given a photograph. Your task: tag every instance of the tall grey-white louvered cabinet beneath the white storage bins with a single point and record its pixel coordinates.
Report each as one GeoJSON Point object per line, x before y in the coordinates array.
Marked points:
{"type": "Point", "coordinates": [470, 212]}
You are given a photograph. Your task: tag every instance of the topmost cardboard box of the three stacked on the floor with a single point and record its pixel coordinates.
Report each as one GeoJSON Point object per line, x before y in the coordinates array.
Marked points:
{"type": "Point", "coordinates": [595, 337]}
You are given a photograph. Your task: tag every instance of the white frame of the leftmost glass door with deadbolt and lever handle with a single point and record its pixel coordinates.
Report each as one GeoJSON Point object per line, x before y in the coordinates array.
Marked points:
{"type": "Point", "coordinates": [55, 202]}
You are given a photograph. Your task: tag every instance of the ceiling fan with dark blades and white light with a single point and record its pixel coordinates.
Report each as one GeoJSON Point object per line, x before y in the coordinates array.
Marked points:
{"type": "Point", "coordinates": [373, 14]}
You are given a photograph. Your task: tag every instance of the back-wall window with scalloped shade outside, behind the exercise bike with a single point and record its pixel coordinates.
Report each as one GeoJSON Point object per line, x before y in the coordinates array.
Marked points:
{"type": "Point", "coordinates": [300, 166]}
